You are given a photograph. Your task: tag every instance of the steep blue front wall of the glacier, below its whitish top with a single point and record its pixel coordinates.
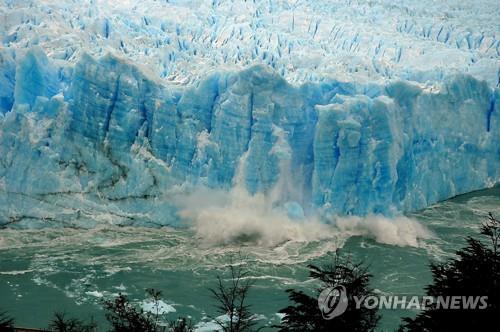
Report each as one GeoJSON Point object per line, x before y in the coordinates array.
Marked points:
{"type": "Point", "coordinates": [102, 139]}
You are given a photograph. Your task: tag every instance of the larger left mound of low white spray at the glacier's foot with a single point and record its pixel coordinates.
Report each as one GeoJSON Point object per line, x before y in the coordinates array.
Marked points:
{"type": "Point", "coordinates": [221, 217]}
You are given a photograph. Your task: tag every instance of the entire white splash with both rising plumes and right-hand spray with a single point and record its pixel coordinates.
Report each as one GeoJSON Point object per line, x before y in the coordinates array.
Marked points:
{"type": "Point", "coordinates": [272, 218]}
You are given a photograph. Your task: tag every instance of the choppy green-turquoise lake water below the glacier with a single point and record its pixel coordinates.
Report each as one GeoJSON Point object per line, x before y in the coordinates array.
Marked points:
{"type": "Point", "coordinates": [42, 271]}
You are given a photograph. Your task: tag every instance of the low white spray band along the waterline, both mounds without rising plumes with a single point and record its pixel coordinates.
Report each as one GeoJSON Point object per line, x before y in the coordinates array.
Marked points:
{"type": "Point", "coordinates": [221, 218]}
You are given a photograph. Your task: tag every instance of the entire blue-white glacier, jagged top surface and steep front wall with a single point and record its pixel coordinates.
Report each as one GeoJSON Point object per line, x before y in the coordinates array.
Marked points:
{"type": "Point", "coordinates": [109, 110]}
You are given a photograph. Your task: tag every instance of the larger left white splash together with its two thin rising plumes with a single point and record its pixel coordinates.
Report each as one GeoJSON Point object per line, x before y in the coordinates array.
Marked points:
{"type": "Point", "coordinates": [235, 216]}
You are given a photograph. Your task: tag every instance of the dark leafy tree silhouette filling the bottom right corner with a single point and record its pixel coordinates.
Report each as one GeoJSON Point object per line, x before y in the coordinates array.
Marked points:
{"type": "Point", "coordinates": [474, 272]}
